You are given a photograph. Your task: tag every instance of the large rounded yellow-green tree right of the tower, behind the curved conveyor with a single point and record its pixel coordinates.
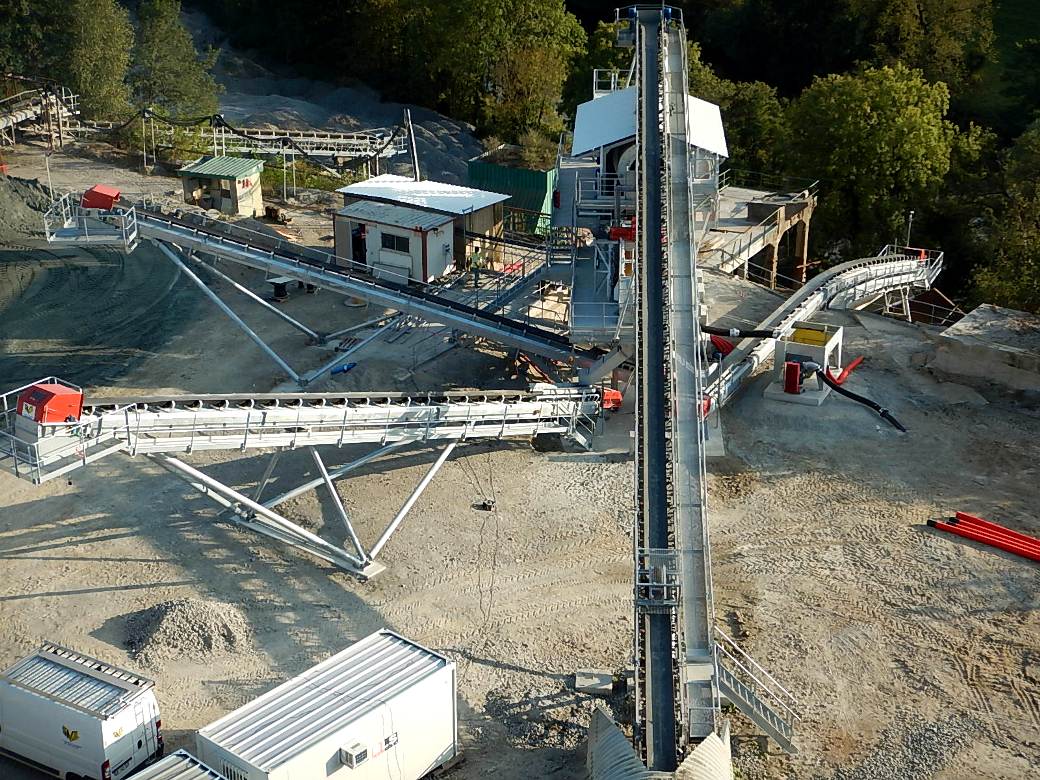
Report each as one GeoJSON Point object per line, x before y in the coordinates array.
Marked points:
{"type": "Point", "coordinates": [880, 143]}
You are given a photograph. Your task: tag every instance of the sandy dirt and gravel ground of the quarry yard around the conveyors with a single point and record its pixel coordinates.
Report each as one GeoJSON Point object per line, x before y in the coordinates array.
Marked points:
{"type": "Point", "coordinates": [824, 568]}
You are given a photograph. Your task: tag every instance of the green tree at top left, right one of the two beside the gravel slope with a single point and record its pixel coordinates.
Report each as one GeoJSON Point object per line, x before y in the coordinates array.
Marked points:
{"type": "Point", "coordinates": [169, 74]}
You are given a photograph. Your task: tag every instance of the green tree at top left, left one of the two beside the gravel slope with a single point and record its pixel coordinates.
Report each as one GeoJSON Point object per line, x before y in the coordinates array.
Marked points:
{"type": "Point", "coordinates": [98, 41]}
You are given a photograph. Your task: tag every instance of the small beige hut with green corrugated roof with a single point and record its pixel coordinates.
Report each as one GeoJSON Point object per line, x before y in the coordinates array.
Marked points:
{"type": "Point", "coordinates": [230, 185]}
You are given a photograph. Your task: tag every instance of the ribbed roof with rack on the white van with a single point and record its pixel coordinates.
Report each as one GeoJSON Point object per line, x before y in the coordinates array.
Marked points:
{"type": "Point", "coordinates": [77, 681]}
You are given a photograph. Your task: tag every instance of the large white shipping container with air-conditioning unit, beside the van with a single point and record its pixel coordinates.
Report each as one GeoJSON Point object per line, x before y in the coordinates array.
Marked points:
{"type": "Point", "coordinates": [383, 708]}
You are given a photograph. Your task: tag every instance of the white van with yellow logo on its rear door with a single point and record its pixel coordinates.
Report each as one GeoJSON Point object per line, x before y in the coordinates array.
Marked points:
{"type": "Point", "coordinates": [77, 718]}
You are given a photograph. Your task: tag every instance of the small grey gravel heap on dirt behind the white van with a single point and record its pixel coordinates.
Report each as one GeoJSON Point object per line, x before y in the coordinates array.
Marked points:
{"type": "Point", "coordinates": [188, 629]}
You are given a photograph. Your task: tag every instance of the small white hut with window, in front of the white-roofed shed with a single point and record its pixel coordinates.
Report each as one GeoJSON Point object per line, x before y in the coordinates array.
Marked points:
{"type": "Point", "coordinates": [396, 243]}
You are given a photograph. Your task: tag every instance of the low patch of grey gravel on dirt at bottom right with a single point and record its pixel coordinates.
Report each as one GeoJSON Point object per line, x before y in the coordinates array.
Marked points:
{"type": "Point", "coordinates": [914, 750]}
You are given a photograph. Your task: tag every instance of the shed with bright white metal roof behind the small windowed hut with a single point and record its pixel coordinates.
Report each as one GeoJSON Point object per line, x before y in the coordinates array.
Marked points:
{"type": "Point", "coordinates": [474, 213]}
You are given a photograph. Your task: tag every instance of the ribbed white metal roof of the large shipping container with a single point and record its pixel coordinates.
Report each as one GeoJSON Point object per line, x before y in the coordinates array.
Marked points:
{"type": "Point", "coordinates": [288, 721]}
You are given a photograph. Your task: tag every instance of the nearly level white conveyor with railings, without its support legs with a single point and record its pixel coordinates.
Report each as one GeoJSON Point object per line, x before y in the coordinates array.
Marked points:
{"type": "Point", "coordinates": [188, 424]}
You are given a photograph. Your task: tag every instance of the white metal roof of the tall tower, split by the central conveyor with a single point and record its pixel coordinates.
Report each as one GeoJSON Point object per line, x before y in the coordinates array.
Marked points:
{"type": "Point", "coordinates": [612, 118]}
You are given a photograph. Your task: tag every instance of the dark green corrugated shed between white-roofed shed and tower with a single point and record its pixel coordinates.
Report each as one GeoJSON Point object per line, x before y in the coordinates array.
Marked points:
{"type": "Point", "coordinates": [531, 189]}
